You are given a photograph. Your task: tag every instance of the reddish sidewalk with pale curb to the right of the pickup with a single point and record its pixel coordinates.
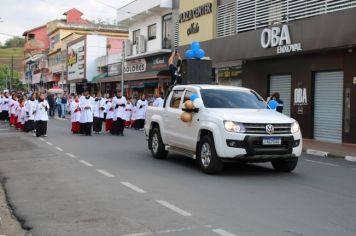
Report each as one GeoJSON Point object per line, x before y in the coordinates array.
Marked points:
{"type": "Point", "coordinates": [328, 149]}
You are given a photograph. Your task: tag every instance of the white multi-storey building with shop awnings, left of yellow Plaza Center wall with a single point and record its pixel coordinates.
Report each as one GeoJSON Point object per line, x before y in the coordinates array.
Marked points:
{"type": "Point", "coordinates": [151, 35]}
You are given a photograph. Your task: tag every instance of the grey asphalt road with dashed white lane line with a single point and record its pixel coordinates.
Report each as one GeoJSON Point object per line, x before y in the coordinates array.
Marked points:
{"type": "Point", "coordinates": [103, 185]}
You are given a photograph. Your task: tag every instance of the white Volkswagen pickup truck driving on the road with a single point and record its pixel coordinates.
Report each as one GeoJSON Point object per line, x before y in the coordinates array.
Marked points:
{"type": "Point", "coordinates": [232, 124]}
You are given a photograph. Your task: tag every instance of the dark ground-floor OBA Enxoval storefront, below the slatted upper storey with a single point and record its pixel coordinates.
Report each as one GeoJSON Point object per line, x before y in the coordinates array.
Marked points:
{"type": "Point", "coordinates": [310, 62]}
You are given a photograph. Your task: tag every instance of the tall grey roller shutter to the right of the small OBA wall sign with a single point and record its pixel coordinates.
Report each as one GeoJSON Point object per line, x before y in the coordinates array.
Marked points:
{"type": "Point", "coordinates": [328, 100]}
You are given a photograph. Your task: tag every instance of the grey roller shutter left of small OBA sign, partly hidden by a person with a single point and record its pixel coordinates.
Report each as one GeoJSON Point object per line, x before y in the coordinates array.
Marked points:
{"type": "Point", "coordinates": [282, 85]}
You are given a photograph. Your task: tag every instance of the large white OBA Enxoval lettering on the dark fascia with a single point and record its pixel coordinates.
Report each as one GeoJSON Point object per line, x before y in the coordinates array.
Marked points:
{"type": "Point", "coordinates": [280, 38]}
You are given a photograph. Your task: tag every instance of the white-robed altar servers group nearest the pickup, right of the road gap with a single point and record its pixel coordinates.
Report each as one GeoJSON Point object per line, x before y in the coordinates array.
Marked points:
{"type": "Point", "coordinates": [90, 112]}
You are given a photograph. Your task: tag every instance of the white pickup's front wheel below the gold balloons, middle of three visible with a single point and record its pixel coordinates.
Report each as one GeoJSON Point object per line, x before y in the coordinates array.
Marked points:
{"type": "Point", "coordinates": [212, 164]}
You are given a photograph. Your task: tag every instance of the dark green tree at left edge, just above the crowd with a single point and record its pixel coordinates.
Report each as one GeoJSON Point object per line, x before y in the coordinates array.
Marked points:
{"type": "Point", "coordinates": [5, 72]}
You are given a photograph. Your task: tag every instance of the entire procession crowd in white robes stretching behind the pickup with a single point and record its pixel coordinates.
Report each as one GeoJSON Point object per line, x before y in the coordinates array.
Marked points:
{"type": "Point", "coordinates": [88, 113]}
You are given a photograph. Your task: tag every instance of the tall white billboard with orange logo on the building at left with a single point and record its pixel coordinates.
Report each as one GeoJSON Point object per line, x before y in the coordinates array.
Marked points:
{"type": "Point", "coordinates": [76, 61]}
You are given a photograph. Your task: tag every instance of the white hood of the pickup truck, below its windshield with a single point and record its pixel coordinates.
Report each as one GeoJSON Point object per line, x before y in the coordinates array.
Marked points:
{"type": "Point", "coordinates": [251, 115]}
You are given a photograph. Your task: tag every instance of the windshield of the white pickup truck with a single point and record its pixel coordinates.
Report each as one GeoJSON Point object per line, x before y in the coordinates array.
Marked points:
{"type": "Point", "coordinates": [229, 98]}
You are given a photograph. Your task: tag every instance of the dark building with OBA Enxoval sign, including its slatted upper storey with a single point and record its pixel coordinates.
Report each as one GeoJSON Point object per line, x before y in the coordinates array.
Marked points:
{"type": "Point", "coordinates": [303, 49]}
